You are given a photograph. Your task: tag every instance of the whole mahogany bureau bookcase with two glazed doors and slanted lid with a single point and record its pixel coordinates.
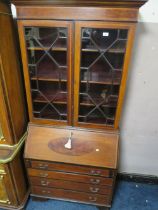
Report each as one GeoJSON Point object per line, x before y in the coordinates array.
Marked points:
{"type": "Point", "coordinates": [75, 58]}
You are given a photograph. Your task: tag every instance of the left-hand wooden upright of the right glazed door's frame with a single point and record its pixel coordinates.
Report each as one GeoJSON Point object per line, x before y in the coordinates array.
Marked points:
{"type": "Point", "coordinates": [77, 70]}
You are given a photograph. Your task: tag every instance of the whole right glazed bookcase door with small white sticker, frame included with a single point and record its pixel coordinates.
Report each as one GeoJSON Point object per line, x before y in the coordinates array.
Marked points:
{"type": "Point", "coordinates": [101, 61]}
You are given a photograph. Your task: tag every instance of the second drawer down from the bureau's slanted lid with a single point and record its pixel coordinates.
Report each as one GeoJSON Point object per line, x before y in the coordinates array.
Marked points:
{"type": "Point", "coordinates": [70, 177]}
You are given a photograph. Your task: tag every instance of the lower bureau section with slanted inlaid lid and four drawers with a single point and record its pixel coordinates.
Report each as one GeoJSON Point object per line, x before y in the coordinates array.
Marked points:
{"type": "Point", "coordinates": [87, 177]}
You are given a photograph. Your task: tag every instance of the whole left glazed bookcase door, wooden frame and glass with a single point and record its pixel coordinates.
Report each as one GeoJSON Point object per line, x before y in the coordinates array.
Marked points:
{"type": "Point", "coordinates": [46, 50]}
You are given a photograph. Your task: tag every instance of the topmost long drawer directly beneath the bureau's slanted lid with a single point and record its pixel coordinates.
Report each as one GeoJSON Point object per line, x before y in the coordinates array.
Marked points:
{"type": "Point", "coordinates": [72, 168]}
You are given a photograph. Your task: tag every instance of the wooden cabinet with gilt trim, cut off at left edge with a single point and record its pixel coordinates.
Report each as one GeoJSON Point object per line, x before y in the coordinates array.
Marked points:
{"type": "Point", "coordinates": [13, 123]}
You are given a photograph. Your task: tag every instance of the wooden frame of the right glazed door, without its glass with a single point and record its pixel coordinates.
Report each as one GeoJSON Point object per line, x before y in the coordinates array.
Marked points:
{"type": "Point", "coordinates": [110, 25]}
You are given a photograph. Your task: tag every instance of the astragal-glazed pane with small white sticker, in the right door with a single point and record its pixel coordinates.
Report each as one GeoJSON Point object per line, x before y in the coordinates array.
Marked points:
{"type": "Point", "coordinates": [102, 59]}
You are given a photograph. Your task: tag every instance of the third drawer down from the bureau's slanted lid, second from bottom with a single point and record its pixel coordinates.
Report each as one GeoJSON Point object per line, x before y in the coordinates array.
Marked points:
{"type": "Point", "coordinates": [69, 185]}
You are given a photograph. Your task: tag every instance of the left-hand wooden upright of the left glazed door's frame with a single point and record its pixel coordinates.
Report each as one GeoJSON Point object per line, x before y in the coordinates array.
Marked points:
{"type": "Point", "coordinates": [25, 66]}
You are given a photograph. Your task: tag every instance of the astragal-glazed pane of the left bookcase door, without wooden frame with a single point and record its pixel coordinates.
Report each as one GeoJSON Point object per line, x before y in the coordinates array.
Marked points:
{"type": "Point", "coordinates": [47, 63]}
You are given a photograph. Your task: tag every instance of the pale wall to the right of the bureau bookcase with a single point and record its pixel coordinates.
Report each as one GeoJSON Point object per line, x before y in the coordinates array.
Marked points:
{"type": "Point", "coordinates": [139, 124]}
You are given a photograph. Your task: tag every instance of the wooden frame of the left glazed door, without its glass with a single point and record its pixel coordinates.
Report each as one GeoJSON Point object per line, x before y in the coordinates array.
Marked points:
{"type": "Point", "coordinates": [46, 23]}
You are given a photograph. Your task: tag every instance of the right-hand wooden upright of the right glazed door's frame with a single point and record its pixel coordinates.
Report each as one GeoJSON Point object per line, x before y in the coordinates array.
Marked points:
{"type": "Point", "coordinates": [131, 35]}
